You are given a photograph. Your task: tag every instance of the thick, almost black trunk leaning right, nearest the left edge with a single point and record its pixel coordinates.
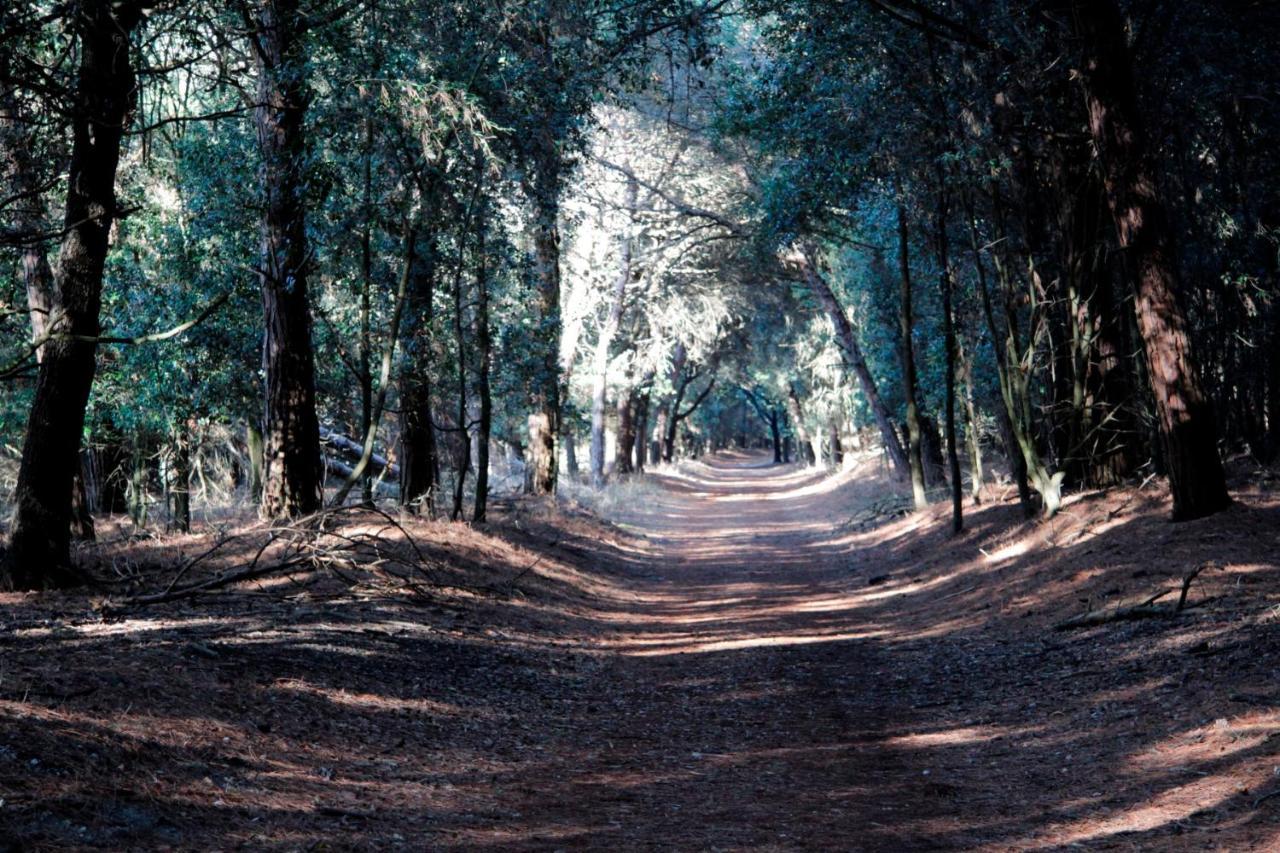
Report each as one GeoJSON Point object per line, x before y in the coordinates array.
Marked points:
{"type": "Point", "coordinates": [40, 546]}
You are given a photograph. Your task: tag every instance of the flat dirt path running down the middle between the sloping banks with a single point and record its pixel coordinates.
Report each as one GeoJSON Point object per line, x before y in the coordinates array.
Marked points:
{"type": "Point", "coordinates": [743, 703]}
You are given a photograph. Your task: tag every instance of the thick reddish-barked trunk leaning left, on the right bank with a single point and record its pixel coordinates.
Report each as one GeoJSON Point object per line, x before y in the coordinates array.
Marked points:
{"type": "Point", "coordinates": [1185, 412]}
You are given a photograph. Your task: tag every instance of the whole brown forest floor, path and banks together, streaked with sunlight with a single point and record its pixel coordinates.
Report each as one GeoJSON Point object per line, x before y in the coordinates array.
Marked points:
{"type": "Point", "coordinates": [733, 669]}
